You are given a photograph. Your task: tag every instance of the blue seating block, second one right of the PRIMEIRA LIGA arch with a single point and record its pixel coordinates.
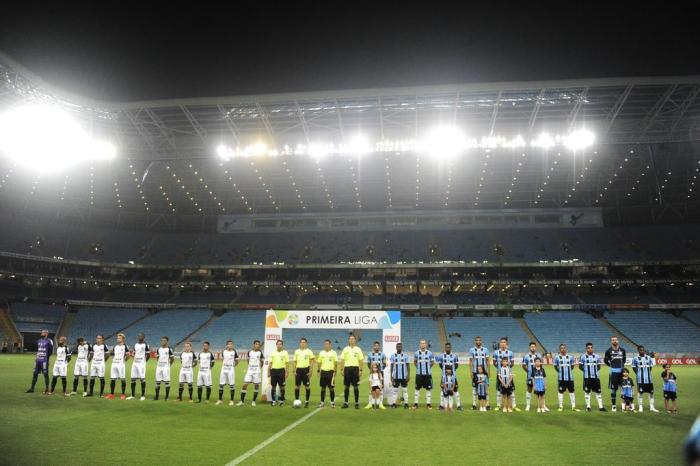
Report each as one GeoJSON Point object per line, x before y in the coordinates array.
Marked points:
{"type": "Point", "coordinates": [491, 329]}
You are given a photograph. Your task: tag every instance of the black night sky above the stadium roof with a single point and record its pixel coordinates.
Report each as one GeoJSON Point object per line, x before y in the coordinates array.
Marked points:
{"type": "Point", "coordinates": [127, 53]}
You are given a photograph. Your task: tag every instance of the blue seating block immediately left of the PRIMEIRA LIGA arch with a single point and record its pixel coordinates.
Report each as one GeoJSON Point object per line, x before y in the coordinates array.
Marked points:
{"type": "Point", "coordinates": [240, 326]}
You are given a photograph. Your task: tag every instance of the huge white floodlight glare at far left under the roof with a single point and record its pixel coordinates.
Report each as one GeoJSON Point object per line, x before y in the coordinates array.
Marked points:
{"type": "Point", "coordinates": [46, 138]}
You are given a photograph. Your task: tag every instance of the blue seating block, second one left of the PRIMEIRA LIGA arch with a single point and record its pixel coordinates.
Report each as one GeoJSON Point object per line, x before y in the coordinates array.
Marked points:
{"type": "Point", "coordinates": [176, 324]}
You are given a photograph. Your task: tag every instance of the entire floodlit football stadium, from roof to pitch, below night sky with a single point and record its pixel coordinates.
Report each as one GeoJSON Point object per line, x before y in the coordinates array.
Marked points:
{"type": "Point", "coordinates": [502, 272]}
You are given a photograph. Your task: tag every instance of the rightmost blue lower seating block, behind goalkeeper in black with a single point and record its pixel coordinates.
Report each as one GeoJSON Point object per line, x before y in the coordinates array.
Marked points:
{"type": "Point", "coordinates": [659, 332]}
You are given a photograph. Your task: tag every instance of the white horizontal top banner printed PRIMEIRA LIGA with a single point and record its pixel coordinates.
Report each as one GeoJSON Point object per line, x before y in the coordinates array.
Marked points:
{"type": "Point", "coordinates": [333, 319]}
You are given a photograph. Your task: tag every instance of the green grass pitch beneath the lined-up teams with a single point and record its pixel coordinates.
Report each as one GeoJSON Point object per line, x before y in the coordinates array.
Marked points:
{"type": "Point", "coordinates": [56, 430]}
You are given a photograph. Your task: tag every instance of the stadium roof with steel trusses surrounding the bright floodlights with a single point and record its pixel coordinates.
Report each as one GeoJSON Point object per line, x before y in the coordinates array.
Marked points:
{"type": "Point", "coordinates": [643, 156]}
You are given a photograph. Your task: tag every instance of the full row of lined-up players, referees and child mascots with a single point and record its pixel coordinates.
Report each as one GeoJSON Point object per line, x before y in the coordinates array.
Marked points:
{"type": "Point", "coordinates": [91, 365]}
